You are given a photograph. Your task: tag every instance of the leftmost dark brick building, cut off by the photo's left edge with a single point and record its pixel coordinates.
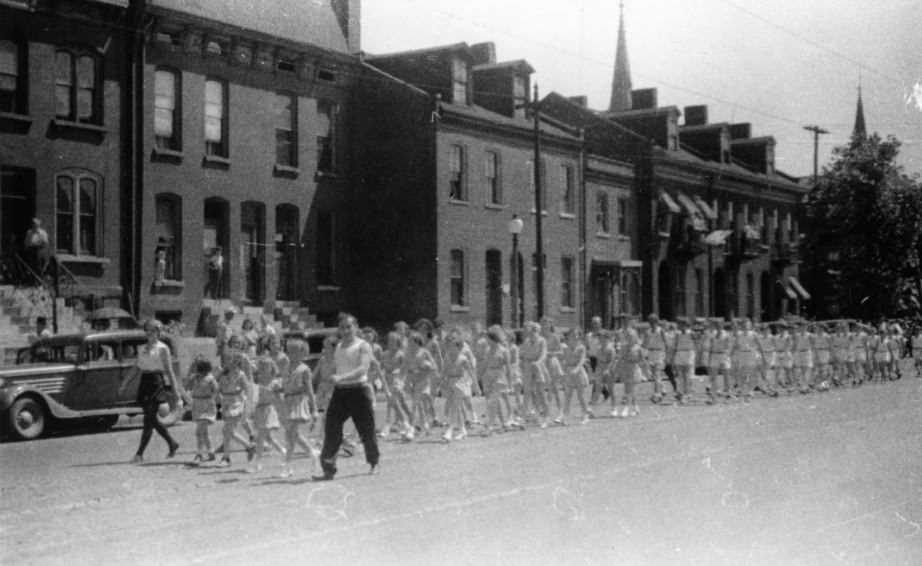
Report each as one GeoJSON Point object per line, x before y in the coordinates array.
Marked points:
{"type": "Point", "coordinates": [62, 142]}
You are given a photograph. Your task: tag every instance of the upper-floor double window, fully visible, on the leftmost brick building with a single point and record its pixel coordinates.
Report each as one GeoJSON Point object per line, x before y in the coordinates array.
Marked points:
{"type": "Point", "coordinates": [76, 87]}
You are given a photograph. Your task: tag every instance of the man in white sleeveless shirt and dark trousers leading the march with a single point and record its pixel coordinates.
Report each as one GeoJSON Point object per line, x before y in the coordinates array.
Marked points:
{"type": "Point", "coordinates": [353, 397]}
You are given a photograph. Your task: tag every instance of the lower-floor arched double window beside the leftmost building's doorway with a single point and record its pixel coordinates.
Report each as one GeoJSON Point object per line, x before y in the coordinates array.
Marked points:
{"type": "Point", "coordinates": [77, 203]}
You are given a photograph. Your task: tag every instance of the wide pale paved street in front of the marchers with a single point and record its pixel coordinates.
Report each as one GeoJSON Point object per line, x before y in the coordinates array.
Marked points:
{"type": "Point", "coordinates": [822, 479]}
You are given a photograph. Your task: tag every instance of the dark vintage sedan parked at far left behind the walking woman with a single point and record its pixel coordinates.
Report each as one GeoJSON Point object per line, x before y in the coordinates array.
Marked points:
{"type": "Point", "coordinates": [74, 377]}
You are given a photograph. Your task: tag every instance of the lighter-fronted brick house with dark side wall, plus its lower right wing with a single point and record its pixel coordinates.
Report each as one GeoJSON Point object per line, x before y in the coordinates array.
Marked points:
{"type": "Point", "coordinates": [448, 153]}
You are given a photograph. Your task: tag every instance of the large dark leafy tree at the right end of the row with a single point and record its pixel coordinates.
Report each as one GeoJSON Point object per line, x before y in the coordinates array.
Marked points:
{"type": "Point", "coordinates": [863, 233]}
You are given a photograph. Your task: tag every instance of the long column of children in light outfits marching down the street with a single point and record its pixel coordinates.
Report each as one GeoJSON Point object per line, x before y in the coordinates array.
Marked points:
{"type": "Point", "coordinates": [528, 377]}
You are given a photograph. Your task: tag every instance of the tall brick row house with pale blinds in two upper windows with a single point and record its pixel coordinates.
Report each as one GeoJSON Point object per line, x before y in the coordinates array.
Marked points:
{"type": "Point", "coordinates": [243, 149]}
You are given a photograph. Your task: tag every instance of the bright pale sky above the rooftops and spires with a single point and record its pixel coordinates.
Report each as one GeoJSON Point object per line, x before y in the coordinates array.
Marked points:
{"type": "Point", "coordinates": [780, 65]}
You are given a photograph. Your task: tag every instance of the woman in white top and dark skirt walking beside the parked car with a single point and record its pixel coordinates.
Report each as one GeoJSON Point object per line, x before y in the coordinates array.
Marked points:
{"type": "Point", "coordinates": [156, 371]}
